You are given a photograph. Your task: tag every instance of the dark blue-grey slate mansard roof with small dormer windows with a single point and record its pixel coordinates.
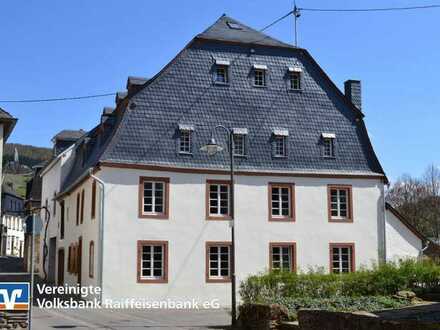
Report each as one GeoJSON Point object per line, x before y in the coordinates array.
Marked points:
{"type": "Point", "coordinates": [144, 128]}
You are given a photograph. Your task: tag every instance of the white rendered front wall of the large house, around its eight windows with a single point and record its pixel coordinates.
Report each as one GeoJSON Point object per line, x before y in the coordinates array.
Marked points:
{"type": "Point", "coordinates": [187, 230]}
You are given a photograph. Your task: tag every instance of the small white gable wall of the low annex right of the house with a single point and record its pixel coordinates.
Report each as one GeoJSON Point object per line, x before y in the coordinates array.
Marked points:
{"type": "Point", "coordinates": [401, 242]}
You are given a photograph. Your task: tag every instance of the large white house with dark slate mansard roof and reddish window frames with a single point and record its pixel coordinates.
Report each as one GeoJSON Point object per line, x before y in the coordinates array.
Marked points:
{"type": "Point", "coordinates": [139, 210]}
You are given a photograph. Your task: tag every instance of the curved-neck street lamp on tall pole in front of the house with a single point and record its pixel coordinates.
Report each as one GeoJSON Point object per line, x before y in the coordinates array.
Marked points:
{"type": "Point", "coordinates": [211, 148]}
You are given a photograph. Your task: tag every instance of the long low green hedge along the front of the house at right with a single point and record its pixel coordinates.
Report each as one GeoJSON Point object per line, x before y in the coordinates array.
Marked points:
{"type": "Point", "coordinates": [382, 280]}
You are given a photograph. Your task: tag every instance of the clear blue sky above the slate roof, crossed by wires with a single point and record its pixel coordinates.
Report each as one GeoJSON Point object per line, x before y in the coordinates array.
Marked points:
{"type": "Point", "coordinates": [65, 48]}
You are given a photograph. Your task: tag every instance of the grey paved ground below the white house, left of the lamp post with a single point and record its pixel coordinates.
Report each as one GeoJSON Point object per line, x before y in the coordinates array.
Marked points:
{"type": "Point", "coordinates": [44, 319]}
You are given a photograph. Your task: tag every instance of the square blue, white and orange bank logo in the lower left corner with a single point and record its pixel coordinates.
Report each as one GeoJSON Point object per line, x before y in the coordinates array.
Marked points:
{"type": "Point", "coordinates": [14, 296]}
